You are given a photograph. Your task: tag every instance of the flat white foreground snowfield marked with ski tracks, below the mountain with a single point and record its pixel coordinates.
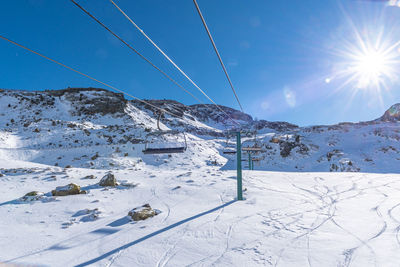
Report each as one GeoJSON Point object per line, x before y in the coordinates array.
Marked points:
{"type": "Point", "coordinates": [286, 219]}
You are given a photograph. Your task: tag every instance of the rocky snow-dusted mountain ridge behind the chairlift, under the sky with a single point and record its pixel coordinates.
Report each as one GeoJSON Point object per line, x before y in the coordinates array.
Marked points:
{"type": "Point", "coordinates": [91, 127]}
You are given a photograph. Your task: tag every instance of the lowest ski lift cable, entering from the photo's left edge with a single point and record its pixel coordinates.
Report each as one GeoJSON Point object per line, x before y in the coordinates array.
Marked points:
{"type": "Point", "coordinates": [90, 77]}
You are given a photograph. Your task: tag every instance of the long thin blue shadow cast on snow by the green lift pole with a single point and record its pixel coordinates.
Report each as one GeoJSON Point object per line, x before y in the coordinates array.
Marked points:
{"type": "Point", "coordinates": [111, 252]}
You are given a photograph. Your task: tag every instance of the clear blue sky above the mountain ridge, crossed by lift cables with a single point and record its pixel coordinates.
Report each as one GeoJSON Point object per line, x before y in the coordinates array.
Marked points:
{"type": "Point", "coordinates": [283, 56]}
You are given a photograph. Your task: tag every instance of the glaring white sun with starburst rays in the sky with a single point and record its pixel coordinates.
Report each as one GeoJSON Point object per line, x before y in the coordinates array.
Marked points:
{"type": "Point", "coordinates": [367, 60]}
